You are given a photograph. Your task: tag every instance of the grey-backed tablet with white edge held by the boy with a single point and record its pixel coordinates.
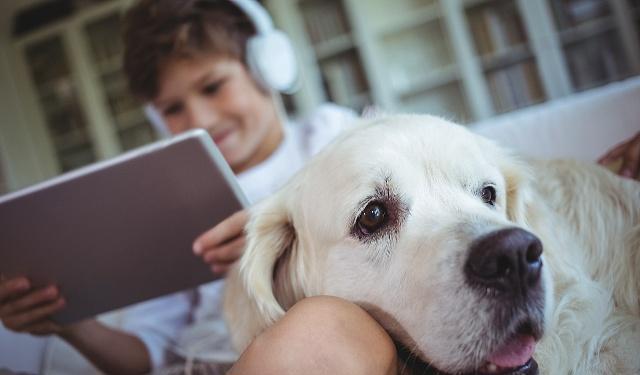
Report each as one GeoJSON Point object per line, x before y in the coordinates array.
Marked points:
{"type": "Point", "coordinates": [120, 231]}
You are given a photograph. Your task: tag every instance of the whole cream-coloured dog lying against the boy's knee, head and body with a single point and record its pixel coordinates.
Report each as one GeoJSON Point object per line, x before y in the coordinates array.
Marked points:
{"type": "Point", "coordinates": [473, 258]}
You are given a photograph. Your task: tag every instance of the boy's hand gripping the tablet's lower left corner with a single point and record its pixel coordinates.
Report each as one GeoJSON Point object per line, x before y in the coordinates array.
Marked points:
{"type": "Point", "coordinates": [24, 309]}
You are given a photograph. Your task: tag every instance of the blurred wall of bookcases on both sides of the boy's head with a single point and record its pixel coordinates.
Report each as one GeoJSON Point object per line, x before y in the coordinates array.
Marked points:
{"type": "Point", "coordinates": [64, 101]}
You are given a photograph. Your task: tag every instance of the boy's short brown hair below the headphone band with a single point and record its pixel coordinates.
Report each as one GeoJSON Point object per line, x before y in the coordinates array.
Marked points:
{"type": "Point", "coordinates": [158, 31]}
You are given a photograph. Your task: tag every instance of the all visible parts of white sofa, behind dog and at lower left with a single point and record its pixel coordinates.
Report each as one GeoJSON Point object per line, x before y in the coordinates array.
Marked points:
{"type": "Point", "coordinates": [582, 126]}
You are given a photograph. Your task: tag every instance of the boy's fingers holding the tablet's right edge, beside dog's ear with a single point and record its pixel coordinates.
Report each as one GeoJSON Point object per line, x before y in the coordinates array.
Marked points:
{"type": "Point", "coordinates": [223, 244]}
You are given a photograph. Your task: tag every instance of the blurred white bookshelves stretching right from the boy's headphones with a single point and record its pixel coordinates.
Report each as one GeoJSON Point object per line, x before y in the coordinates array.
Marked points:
{"type": "Point", "coordinates": [464, 59]}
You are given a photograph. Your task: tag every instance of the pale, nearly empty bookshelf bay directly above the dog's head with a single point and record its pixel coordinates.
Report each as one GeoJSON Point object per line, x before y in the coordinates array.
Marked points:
{"type": "Point", "coordinates": [419, 66]}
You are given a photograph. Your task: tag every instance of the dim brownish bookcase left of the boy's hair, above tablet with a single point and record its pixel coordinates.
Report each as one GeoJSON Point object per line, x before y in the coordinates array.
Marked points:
{"type": "Point", "coordinates": [74, 80]}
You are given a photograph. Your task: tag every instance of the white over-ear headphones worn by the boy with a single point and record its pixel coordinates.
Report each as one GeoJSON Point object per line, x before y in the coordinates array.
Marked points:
{"type": "Point", "coordinates": [269, 53]}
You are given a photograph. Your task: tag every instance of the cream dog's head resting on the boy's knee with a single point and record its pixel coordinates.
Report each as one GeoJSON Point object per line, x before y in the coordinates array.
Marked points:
{"type": "Point", "coordinates": [423, 224]}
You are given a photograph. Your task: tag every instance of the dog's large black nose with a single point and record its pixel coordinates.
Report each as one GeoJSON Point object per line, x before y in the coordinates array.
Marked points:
{"type": "Point", "coordinates": [506, 260]}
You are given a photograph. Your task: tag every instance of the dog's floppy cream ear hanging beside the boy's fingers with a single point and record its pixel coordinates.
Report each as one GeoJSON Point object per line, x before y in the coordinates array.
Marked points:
{"type": "Point", "coordinates": [271, 267]}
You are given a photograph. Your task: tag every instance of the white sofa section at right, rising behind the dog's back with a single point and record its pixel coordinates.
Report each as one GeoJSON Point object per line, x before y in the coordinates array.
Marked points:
{"type": "Point", "coordinates": [583, 126]}
